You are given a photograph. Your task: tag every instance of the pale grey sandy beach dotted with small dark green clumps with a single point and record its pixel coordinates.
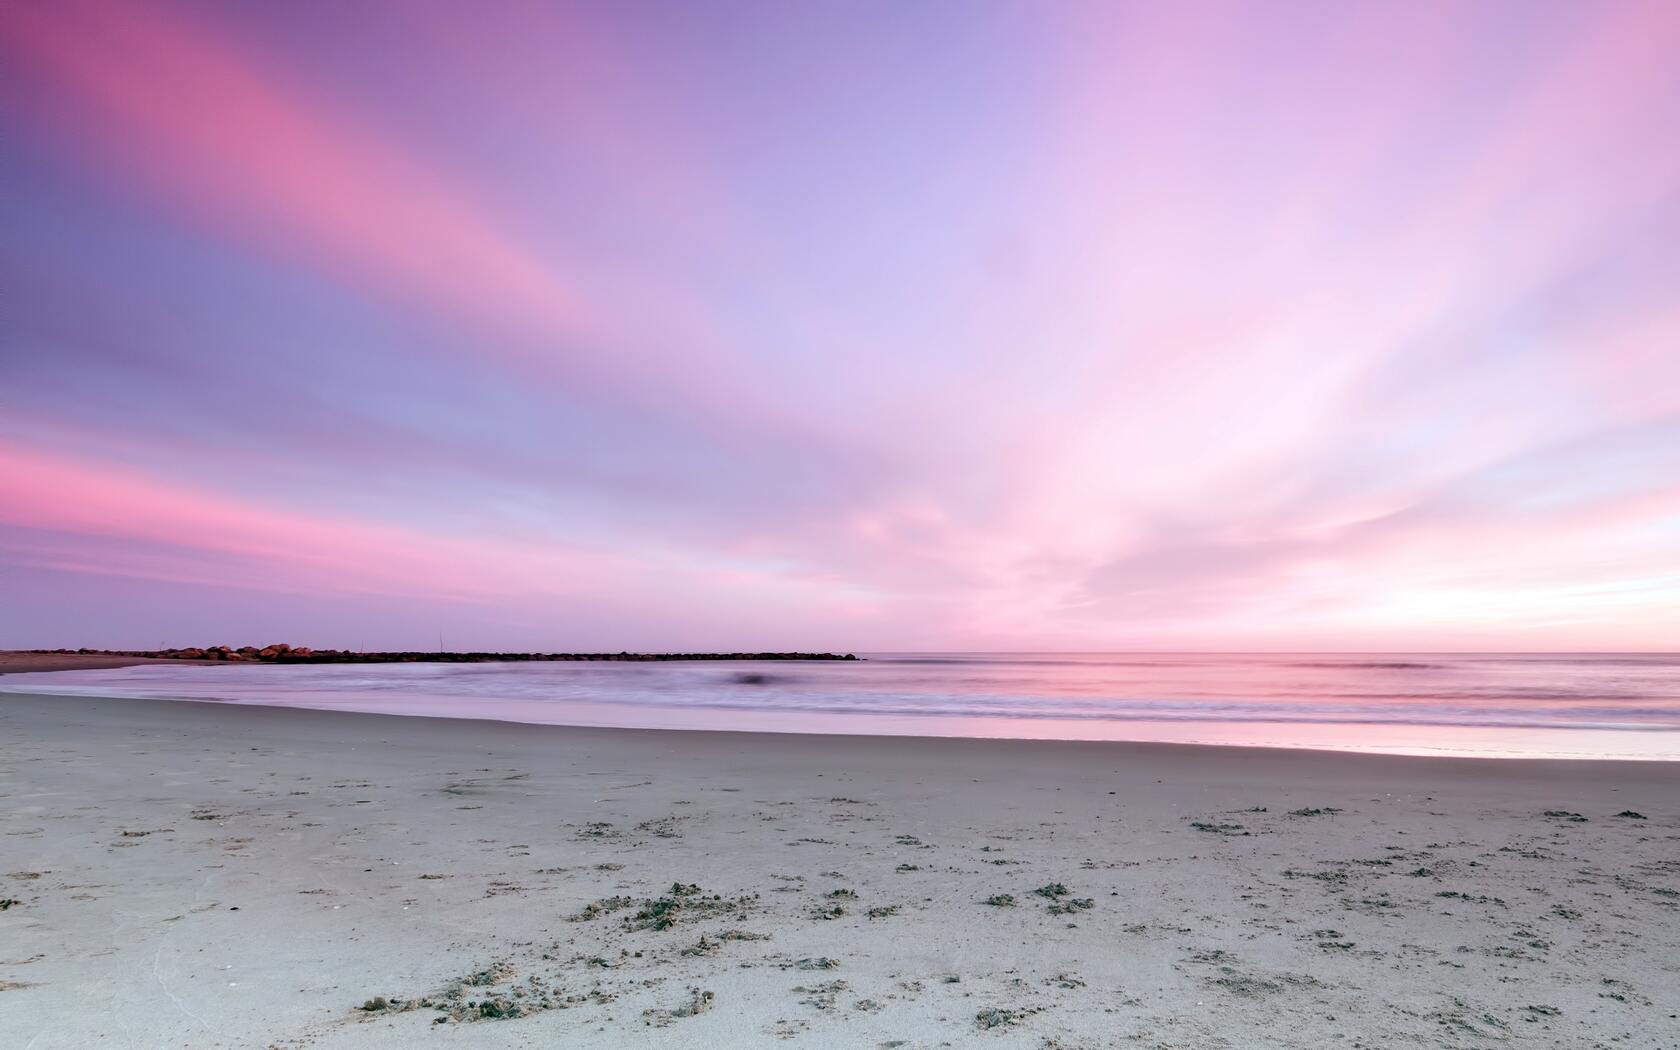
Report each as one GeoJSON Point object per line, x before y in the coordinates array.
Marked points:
{"type": "Point", "coordinates": [216, 876]}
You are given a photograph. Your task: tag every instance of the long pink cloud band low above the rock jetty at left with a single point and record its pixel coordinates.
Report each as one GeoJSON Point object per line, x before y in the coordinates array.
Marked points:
{"type": "Point", "coordinates": [78, 517]}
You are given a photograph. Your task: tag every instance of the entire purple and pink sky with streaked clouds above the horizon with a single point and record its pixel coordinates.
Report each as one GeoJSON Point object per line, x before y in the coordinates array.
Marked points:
{"type": "Point", "coordinates": [841, 327]}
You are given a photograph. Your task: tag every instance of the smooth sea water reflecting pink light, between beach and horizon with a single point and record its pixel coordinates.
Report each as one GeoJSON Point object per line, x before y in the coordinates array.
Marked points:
{"type": "Point", "coordinates": [1494, 705]}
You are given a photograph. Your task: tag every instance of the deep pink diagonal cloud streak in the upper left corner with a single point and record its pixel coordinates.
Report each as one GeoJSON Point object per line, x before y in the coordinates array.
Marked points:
{"type": "Point", "coordinates": [206, 122]}
